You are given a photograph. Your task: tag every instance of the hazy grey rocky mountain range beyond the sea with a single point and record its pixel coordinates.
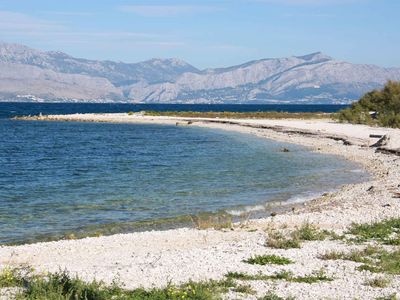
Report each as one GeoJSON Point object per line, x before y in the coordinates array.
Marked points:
{"type": "Point", "coordinates": [27, 74]}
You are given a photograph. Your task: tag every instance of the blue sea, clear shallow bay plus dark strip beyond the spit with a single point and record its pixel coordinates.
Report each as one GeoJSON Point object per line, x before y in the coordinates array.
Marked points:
{"type": "Point", "coordinates": [72, 179]}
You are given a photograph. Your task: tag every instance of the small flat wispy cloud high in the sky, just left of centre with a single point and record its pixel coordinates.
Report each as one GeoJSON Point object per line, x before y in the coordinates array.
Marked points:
{"type": "Point", "coordinates": [166, 10]}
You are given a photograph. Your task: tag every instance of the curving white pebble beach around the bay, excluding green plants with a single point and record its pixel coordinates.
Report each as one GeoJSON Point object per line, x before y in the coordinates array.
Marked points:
{"type": "Point", "coordinates": [182, 254]}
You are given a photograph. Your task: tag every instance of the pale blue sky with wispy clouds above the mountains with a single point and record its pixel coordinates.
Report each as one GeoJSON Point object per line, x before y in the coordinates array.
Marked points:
{"type": "Point", "coordinates": [207, 34]}
